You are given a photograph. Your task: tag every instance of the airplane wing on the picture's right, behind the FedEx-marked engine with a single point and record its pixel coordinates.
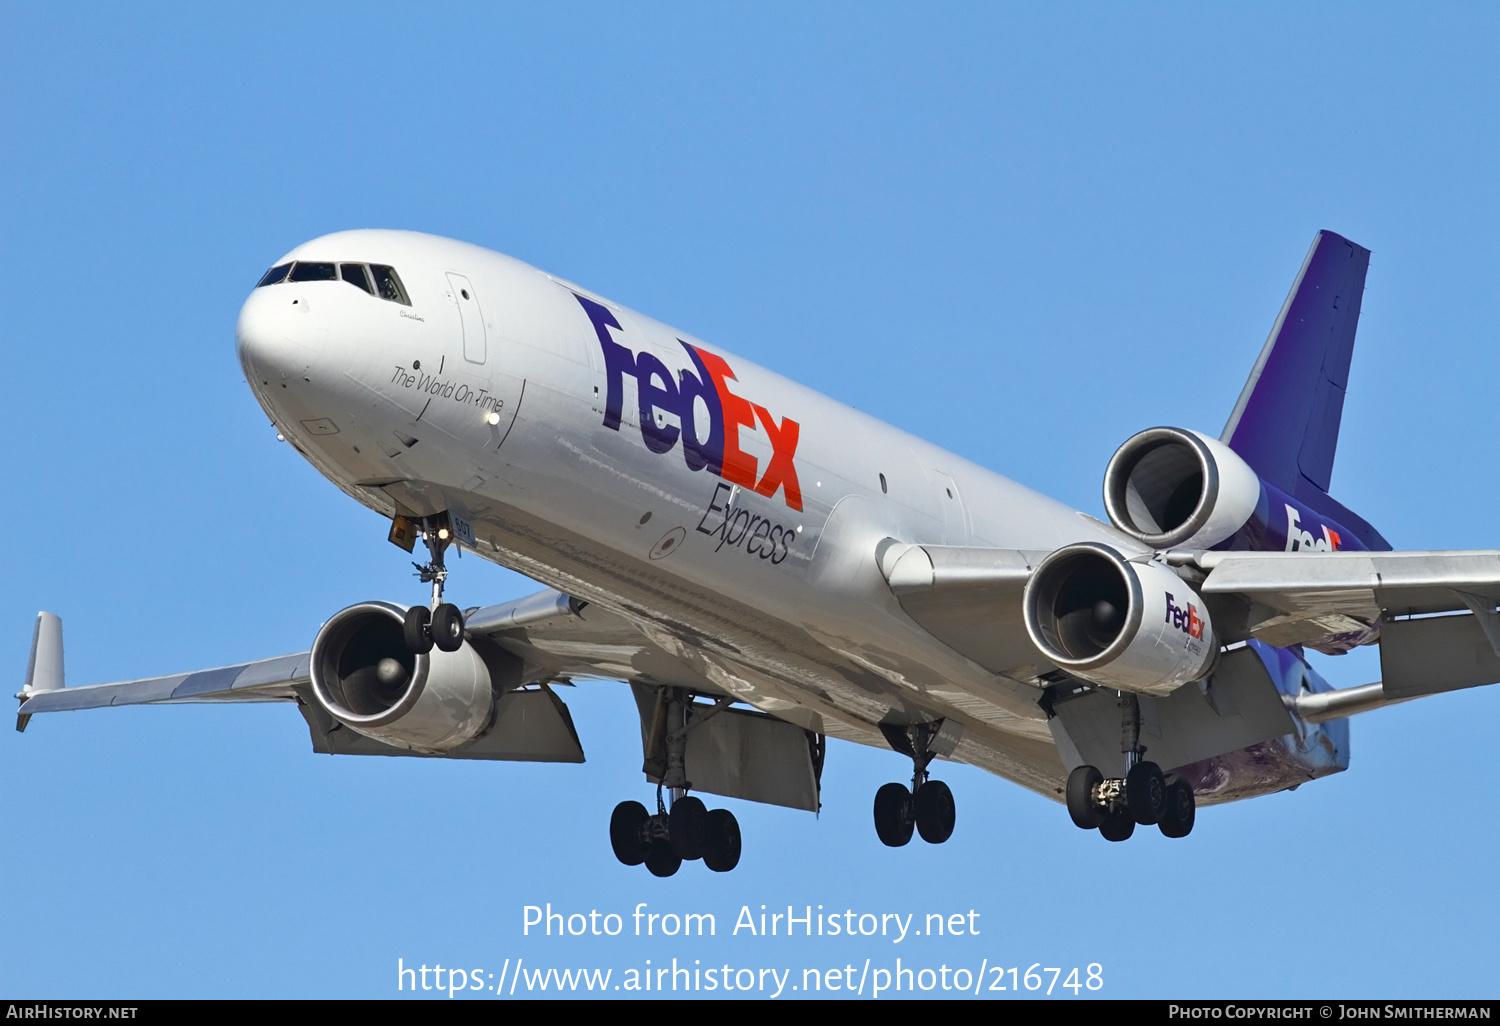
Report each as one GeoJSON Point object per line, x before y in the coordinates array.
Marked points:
{"type": "Point", "coordinates": [971, 599]}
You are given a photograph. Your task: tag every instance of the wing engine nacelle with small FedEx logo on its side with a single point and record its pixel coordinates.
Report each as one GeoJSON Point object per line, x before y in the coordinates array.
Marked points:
{"type": "Point", "coordinates": [1120, 625]}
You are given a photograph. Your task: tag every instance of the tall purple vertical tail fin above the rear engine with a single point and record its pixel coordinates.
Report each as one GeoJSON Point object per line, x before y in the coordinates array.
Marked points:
{"type": "Point", "coordinates": [1286, 421]}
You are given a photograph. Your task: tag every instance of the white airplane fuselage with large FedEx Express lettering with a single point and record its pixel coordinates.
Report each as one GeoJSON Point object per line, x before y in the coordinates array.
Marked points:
{"type": "Point", "coordinates": [493, 397]}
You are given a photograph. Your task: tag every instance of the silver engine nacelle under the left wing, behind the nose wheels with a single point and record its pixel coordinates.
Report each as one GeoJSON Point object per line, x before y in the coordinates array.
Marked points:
{"type": "Point", "coordinates": [367, 679]}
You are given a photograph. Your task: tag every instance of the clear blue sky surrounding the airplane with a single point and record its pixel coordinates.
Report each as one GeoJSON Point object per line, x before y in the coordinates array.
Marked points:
{"type": "Point", "coordinates": [1021, 232]}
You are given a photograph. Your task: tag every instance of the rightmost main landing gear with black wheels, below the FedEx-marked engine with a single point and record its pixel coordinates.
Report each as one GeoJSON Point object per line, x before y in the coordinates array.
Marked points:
{"type": "Point", "coordinates": [1115, 806]}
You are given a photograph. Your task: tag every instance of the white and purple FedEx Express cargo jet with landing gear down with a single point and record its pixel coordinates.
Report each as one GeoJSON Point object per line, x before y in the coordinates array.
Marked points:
{"type": "Point", "coordinates": [769, 569]}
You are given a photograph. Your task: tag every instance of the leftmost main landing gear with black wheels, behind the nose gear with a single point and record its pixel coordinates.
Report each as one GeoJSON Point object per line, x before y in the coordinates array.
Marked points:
{"type": "Point", "coordinates": [691, 830]}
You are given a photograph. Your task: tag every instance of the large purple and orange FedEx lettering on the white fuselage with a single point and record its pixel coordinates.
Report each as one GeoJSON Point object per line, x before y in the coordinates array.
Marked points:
{"type": "Point", "coordinates": [719, 451]}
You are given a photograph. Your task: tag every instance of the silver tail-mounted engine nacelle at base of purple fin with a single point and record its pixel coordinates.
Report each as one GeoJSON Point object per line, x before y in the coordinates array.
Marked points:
{"type": "Point", "coordinates": [1169, 488]}
